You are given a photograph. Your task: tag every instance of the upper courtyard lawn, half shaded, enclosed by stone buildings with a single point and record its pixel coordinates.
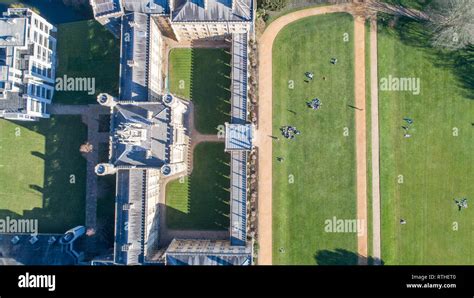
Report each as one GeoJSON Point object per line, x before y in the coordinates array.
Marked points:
{"type": "Point", "coordinates": [203, 75]}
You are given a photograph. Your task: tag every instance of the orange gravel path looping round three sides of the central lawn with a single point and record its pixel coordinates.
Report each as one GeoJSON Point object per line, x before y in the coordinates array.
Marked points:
{"type": "Point", "coordinates": [264, 131]}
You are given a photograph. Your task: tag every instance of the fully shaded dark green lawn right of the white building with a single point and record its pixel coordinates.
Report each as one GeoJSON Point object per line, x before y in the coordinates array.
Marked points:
{"type": "Point", "coordinates": [87, 50]}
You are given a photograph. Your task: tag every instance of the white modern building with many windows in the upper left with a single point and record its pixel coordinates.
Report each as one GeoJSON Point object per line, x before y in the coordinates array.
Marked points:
{"type": "Point", "coordinates": [27, 65]}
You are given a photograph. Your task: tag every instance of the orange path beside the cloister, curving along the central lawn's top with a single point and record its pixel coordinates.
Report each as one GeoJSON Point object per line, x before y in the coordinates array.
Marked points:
{"type": "Point", "coordinates": [264, 131]}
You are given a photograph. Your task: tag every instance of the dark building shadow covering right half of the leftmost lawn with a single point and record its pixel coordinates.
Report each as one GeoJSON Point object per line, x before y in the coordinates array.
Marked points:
{"type": "Point", "coordinates": [63, 195]}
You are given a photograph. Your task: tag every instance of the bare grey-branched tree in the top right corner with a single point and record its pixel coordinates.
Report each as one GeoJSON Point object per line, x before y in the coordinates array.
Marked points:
{"type": "Point", "coordinates": [452, 22]}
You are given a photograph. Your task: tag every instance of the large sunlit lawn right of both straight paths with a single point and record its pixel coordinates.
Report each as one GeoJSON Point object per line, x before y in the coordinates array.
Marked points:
{"type": "Point", "coordinates": [435, 165]}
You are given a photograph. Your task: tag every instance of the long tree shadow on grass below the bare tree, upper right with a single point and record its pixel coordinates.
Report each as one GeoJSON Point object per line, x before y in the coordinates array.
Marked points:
{"type": "Point", "coordinates": [417, 34]}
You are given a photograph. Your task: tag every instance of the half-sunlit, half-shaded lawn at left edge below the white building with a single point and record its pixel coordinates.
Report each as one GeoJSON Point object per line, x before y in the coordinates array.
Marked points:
{"type": "Point", "coordinates": [36, 163]}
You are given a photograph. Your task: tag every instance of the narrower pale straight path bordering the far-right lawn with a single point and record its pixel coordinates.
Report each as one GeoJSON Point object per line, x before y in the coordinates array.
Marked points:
{"type": "Point", "coordinates": [374, 95]}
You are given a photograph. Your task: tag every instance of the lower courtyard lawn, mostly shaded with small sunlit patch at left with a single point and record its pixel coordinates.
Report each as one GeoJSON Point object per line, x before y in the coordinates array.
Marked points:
{"type": "Point", "coordinates": [201, 201]}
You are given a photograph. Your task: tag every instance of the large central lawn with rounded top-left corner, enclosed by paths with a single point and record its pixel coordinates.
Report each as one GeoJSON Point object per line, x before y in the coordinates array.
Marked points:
{"type": "Point", "coordinates": [317, 179]}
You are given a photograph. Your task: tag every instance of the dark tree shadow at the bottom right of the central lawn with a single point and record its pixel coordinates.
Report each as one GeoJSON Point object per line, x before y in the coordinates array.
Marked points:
{"type": "Point", "coordinates": [341, 256]}
